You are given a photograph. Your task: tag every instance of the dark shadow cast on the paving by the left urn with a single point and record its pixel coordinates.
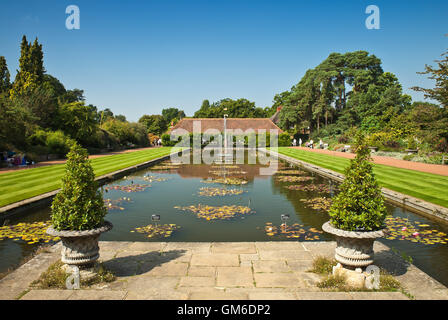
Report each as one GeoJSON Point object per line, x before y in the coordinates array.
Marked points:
{"type": "Point", "coordinates": [133, 265]}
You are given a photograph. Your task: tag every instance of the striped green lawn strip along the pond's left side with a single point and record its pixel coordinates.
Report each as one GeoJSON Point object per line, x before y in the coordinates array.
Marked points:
{"type": "Point", "coordinates": [23, 184]}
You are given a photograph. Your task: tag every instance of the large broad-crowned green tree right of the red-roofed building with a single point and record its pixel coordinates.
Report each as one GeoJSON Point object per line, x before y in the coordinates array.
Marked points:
{"type": "Point", "coordinates": [347, 89]}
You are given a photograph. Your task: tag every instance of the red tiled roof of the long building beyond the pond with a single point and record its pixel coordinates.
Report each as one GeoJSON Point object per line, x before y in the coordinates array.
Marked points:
{"type": "Point", "coordinates": [232, 124]}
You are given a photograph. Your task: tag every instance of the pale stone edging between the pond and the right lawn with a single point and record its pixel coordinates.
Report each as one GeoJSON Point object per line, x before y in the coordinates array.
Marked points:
{"type": "Point", "coordinates": [413, 204]}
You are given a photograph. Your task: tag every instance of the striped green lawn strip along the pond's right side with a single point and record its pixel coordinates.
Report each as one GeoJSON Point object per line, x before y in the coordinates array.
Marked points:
{"type": "Point", "coordinates": [429, 187]}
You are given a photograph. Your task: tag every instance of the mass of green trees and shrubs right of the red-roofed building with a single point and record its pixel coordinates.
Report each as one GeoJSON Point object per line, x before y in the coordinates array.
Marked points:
{"type": "Point", "coordinates": [351, 91]}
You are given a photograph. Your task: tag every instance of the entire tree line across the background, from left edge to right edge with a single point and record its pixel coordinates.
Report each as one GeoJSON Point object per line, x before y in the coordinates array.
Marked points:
{"type": "Point", "coordinates": [344, 93]}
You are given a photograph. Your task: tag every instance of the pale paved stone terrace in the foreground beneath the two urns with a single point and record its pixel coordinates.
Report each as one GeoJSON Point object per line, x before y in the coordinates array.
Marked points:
{"type": "Point", "coordinates": [218, 270]}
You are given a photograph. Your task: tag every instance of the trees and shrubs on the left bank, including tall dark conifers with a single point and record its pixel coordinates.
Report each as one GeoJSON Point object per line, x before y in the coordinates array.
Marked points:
{"type": "Point", "coordinates": [39, 116]}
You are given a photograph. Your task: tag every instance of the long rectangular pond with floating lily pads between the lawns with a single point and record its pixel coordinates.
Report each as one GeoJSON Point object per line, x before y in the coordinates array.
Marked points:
{"type": "Point", "coordinates": [256, 205]}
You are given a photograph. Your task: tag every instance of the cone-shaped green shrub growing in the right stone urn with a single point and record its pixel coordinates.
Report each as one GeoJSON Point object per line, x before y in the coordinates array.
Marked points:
{"type": "Point", "coordinates": [359, 206]}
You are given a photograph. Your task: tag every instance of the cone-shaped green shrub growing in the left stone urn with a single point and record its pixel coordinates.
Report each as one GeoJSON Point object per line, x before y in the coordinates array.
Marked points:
{"type": "Point", "coordinates": [79, 205]}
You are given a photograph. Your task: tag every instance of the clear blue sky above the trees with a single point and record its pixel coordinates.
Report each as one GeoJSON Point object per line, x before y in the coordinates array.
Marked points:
{"type": "Point", "coordinates": [138, 57]}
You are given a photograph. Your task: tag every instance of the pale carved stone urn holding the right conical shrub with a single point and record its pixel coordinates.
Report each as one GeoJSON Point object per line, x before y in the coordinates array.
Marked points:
{"type": "Point", "coordinates": [354, 249]}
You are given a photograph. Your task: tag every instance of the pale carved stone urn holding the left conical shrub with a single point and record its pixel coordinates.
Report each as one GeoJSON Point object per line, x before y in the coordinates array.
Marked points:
{"type": "Point", "coordinates": [80, 248]}
